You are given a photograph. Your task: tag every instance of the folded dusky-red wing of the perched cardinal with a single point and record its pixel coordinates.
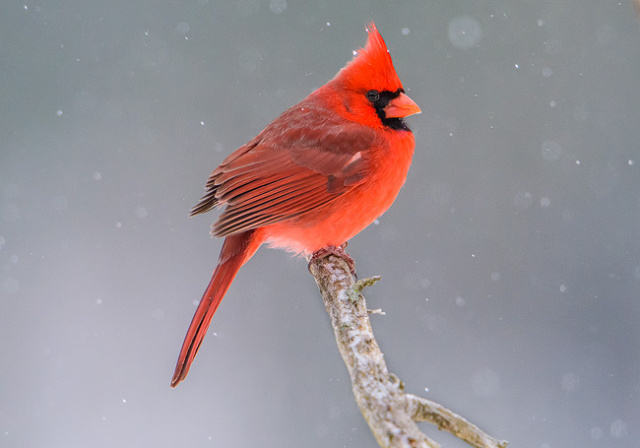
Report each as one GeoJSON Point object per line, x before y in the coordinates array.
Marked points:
{"type": "Point", "coordinates": [283, 174]}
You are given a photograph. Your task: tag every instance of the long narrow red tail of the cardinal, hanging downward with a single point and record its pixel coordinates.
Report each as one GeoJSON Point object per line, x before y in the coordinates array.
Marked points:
{"type": "Point", "coordinates": [236, 251]}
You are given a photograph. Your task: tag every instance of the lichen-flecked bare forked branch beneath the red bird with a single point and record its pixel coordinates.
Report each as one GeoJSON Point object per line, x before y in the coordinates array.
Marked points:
{"type": "Point", "coordinates": [390, 413]}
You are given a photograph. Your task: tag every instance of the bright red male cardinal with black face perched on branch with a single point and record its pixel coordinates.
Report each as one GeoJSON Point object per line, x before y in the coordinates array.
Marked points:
{"type": "Point", "coordinates": [315, 177]}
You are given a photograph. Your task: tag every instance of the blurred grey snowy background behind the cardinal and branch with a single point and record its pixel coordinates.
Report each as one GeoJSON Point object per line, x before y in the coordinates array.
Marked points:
{"type": "Point", "coordinates": [510, 260]}
